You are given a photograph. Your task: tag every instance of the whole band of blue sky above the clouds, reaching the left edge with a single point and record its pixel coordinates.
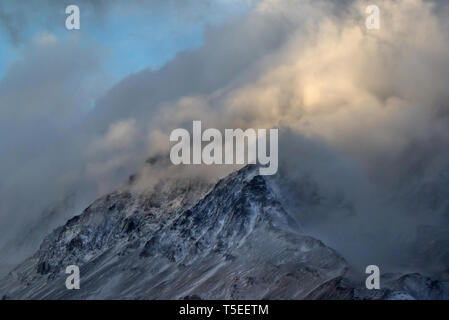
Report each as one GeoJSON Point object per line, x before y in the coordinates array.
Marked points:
{"type": "Point", "coordinates": [134, 37]}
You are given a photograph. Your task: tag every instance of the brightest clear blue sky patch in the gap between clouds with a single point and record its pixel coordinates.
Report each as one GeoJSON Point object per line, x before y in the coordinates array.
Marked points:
{"type": "Point", "coordinates": [151, 37]}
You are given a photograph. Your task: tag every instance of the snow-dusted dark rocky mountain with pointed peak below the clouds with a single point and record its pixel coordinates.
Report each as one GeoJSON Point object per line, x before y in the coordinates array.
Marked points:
{"type": "Point", "coordinates": [230, 241]}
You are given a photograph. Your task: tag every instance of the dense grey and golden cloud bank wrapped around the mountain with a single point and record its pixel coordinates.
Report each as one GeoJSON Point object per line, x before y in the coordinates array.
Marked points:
{"type": "Point", "coordinates": [363, 117]}
